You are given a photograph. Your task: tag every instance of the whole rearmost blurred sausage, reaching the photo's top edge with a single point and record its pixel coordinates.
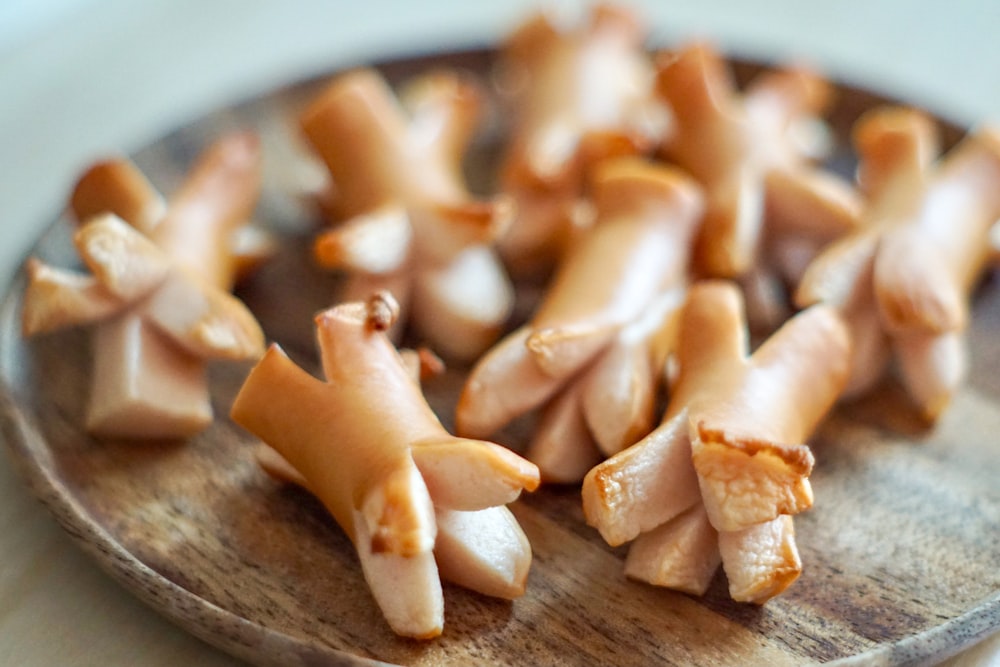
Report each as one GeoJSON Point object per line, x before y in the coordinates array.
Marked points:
{"type": "Point", "coordinates": [577, 95]}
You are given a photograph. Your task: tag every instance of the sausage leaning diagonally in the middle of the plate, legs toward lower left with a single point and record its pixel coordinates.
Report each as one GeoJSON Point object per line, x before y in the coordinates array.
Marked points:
{"type": "Point", "coordinates": [604, 312]}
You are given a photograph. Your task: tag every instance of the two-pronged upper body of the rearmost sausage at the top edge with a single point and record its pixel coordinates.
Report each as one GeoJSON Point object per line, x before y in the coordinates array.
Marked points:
{"type": "Point", "coordinates": [577, 88]}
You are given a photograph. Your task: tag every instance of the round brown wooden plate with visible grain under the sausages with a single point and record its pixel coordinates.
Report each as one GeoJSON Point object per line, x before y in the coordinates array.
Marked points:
{"type": "Point", "coordinates": [901, 552]}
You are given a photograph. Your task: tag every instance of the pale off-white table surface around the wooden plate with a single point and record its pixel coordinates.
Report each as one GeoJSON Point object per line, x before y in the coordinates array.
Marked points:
{"type": "Point", "coordinates": [82, 78]}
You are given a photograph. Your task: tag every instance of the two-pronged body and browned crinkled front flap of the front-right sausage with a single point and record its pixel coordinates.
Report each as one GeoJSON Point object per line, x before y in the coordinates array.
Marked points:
{"type": "Point", "coordinates": [750, 414]}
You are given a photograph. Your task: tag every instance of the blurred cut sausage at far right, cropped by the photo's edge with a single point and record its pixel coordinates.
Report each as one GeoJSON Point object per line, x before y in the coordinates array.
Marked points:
{"type": "Point", "coordinates": [904, 278]}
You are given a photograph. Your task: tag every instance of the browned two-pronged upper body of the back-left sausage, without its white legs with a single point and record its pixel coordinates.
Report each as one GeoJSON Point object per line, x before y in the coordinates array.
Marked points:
{"type": "Point", "coordinates": [372, 148]}
